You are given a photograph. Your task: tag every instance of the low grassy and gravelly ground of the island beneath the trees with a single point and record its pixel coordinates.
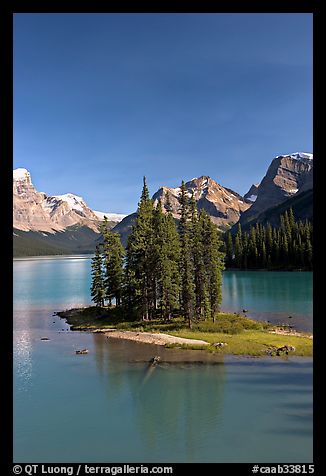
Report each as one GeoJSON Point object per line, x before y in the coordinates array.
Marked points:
{"type": "Point", "coordinates": [254, 339]}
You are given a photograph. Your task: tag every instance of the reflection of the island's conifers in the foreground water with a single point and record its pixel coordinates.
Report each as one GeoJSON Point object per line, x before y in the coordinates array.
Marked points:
{"type": "Point", "coordinates": [177, 404]}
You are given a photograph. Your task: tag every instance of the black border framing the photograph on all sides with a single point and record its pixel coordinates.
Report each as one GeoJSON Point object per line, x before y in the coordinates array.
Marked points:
{"type": "Point", "coordinates": [6, 141]}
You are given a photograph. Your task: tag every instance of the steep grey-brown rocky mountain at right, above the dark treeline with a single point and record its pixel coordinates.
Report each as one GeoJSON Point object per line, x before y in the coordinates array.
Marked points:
{"type": "Point", "coordinates": [287, 176]}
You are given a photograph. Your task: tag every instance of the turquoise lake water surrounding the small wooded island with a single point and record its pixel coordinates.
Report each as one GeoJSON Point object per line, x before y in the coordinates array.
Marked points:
{"type": "Point", "coordinates": [108, 406]}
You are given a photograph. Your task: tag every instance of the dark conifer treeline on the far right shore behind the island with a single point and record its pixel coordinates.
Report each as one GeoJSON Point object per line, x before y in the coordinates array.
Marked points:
{"type": "Point", "coordinates": [274, 248]}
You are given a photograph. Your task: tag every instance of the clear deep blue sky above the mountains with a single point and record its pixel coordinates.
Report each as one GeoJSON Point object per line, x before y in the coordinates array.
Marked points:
{"type": "Point", "coordinates": [102, 99]}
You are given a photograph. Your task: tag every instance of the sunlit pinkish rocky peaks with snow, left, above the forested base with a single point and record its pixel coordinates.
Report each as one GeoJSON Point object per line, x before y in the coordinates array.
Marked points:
{"type": "Point", "coordinates": [38, 211]}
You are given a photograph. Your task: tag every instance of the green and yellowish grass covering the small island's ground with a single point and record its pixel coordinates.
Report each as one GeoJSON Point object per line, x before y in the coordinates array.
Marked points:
{"type": "Point", "coordinates": [242, 335]}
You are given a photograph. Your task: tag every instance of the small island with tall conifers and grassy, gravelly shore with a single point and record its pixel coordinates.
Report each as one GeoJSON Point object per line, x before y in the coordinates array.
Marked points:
{"type": "Point", "coordinates": [165, 288]}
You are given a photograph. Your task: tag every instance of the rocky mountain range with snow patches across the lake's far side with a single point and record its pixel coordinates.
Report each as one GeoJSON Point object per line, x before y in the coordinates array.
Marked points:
{"type": "Point", "coordinates": [64, 223]}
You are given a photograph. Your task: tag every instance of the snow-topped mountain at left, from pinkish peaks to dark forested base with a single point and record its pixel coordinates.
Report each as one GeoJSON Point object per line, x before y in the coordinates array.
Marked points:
{"type": "Point", "coordinates": [52, 224]}
